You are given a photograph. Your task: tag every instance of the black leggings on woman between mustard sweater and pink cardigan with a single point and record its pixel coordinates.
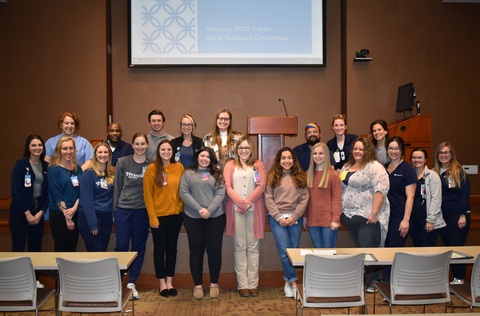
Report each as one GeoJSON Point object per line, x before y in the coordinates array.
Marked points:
{"type": "Point", "coordinates": [205, 235]}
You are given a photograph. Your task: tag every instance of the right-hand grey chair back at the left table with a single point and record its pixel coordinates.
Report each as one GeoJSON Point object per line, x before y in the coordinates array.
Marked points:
{"type": "Point", "coordinates": [86, 285]}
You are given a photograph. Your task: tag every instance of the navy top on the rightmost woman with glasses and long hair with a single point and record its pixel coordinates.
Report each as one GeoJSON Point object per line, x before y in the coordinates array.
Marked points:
{"type": "Point", "coordinates": [455, 200]}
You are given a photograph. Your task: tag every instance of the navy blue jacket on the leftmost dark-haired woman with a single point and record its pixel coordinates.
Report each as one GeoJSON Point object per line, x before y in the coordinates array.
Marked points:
{"type": "Point", "coordinates": [22, 197]}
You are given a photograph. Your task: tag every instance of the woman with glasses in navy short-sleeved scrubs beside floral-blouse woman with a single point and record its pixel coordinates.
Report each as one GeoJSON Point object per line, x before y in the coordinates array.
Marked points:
{"type": "Point", "coordinates": [403, 182]}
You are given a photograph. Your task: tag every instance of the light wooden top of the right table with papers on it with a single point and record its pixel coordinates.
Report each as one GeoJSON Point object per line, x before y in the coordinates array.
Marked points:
{"type": "Point", "coordinates": [384, 256]}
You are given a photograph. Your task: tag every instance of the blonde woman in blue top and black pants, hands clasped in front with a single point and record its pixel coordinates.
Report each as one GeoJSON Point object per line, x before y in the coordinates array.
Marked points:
{"type": "Point", "coordinates": [64, 190]}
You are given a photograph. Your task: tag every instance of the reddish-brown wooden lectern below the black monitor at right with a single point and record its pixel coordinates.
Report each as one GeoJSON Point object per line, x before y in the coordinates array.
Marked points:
{"type": "Point", "coordinates": [415, 132]}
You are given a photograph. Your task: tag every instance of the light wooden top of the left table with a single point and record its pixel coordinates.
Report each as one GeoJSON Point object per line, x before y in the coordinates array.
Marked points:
{"type": "Point", "coordinates": [46, 260]}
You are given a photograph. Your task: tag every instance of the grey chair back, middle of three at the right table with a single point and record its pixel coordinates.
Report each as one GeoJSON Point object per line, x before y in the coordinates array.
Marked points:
{"type": "Point", "coordinates": [420, 274]}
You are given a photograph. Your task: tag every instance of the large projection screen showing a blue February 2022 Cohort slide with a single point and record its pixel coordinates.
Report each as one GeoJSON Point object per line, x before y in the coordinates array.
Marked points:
{"type": "Point", "coordinates": [226, 33]}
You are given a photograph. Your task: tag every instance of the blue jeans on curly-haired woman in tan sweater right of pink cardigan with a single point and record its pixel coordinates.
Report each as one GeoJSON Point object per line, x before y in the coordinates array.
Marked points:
{"type": "Point", "coordinates": [286, 237]}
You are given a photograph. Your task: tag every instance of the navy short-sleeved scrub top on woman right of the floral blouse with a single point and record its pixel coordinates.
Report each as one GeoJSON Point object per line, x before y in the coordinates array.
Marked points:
{"type": "Point", "coordinates": [401, 177]}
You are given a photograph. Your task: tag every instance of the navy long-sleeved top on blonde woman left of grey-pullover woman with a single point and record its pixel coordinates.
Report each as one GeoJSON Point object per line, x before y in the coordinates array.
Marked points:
{"type": "Point", "coordinates": [95, 197]}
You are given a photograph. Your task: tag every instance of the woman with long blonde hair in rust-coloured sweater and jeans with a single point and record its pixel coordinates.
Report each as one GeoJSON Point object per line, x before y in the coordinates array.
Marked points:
{"type": "Point", "coordinates": [322, 217]}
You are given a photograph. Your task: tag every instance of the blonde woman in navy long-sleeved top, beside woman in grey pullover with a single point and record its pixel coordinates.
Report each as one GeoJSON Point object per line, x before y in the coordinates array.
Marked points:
{"type": "Point", "coordinates": [95, 216]}
